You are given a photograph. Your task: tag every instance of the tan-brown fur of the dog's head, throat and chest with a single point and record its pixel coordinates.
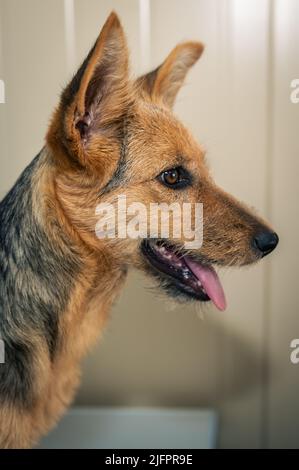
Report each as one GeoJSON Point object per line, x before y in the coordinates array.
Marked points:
{"type": "Point", "coordinates": [84, 147]}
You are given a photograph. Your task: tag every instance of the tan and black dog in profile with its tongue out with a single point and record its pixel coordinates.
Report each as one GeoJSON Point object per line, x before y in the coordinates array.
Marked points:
{"type": "Point", "coordinates": [109, 135]}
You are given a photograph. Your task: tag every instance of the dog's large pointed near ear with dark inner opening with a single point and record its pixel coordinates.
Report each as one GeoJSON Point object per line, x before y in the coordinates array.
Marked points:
{"type": "Point", "coordinates": [94, 103]}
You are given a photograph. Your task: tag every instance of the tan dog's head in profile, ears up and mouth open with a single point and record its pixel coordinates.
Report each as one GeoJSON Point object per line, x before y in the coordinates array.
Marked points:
{"type": "Point", "coordinates": [120, 153]}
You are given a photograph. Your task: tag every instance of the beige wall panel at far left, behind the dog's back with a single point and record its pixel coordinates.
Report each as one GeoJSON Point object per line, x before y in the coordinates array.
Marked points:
{"type": "Point", "coordinates": [33, 48]}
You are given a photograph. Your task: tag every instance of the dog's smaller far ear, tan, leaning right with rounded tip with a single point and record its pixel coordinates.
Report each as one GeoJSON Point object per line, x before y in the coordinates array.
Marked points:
{"type": "Point", "coordinates": [165, 82]}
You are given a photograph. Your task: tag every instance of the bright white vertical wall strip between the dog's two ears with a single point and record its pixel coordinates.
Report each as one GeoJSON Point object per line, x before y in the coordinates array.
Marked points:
{"type": "Point", "coordinates": [145, 35]}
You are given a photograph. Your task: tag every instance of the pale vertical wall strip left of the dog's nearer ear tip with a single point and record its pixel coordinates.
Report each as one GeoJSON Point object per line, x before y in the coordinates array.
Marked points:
{"type": "Point", "coordinates": [70, 42]}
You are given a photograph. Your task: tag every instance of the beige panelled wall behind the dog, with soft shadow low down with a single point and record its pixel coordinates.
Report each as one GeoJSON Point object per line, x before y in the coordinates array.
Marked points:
{"type": "Point", "coordinates": [237, 103]}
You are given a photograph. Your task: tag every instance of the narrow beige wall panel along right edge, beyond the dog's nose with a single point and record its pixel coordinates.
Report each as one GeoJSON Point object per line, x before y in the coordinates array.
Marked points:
{"type": "Point", "coordinates": [284, 318]}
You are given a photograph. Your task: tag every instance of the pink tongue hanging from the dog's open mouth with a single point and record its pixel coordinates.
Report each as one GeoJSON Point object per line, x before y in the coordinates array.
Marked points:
{"type": "Point", "coordinates": [209, 279]}
